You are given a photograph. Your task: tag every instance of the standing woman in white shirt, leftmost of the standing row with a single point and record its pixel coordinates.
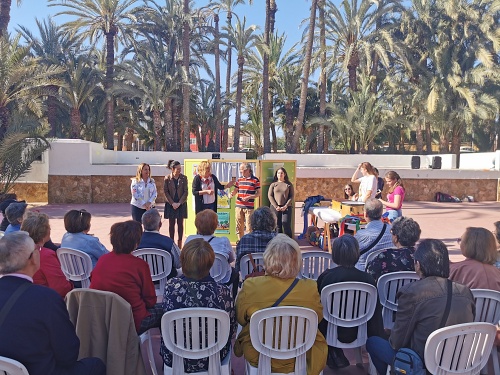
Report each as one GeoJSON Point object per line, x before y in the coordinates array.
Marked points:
{"type": "Point", "coordinates": [143, 189]}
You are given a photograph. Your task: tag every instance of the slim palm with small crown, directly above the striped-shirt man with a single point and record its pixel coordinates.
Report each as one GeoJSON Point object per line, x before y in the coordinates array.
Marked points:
{"type": "Point", "coordinates": [243, 39]}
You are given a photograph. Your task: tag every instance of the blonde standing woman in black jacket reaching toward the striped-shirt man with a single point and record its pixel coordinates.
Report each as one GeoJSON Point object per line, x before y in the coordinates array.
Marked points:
{"type": "Point", "coordinates": [205, 186]}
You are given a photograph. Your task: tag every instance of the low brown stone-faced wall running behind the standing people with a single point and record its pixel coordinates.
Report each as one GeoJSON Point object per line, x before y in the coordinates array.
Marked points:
{"type": "Point", "coordinates": [116, 189]}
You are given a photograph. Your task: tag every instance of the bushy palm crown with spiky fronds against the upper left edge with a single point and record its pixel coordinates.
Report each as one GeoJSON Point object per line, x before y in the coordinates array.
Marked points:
{"type": "Point", "coordinates": [23, 81]}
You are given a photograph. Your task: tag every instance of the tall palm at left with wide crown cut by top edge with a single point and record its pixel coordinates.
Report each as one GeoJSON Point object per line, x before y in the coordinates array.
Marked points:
{"type": "Point", "coordinates": [96, 18]}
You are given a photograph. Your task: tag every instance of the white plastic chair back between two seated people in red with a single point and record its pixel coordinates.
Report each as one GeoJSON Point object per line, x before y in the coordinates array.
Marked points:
{"type": "Point", "coordinates": [76, 265]}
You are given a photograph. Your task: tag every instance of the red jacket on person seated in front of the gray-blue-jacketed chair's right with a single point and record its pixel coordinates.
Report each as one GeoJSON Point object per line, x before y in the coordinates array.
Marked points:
{"type": "Point", "coordinates": [130, 278]}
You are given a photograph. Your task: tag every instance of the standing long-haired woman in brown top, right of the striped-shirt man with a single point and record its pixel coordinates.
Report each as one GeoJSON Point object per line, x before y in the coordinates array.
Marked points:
{"type": "Point", "coordinates": [280, 196]}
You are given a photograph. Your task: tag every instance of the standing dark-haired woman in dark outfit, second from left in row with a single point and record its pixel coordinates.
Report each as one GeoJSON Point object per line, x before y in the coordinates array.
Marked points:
{"type": "Point", "coordinates": [175, 188]}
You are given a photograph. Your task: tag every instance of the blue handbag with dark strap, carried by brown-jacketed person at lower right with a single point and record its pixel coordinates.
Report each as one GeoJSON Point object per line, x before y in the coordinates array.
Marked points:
{"type": "Point", "coordinates": [407, 361]}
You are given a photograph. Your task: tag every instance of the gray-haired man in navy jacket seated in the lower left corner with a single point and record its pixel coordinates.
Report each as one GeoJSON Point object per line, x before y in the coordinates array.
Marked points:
{"type": "Point", "coordinates": [36, 331]}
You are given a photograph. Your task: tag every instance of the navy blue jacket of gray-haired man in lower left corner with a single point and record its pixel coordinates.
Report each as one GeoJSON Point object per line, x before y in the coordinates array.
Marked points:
{"type": "Point", "coordinates": [37, 331]}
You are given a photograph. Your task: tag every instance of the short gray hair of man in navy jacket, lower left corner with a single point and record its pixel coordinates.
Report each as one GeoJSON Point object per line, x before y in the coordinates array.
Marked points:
{"type": "Point", "coordinates": [15, 251]}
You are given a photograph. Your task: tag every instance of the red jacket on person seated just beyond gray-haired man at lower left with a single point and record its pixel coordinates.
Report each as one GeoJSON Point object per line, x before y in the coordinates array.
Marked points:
{"type": "Point", "coordinates": [50, 273]}
